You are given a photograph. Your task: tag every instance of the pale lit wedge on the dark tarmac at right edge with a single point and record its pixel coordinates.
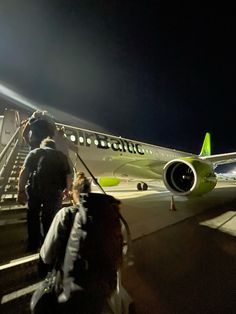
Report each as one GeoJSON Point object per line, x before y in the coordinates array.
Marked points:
{"type": "Point", "coordinates": [225, 223]}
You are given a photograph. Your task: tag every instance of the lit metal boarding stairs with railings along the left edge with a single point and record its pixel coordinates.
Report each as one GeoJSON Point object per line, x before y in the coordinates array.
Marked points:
{"type": "Point", "coordinates": [18, 268]}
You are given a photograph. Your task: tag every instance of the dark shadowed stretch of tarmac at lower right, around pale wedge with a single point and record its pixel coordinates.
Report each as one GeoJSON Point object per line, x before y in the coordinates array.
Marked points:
{"type": "Point", "coordinates": [185, 268]}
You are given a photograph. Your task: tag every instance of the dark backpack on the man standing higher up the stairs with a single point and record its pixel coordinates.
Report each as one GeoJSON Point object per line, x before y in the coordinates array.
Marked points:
{"type": "Point", "coordinates": [50, 172]}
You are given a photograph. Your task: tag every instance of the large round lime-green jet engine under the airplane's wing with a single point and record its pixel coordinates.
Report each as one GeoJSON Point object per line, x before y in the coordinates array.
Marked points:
{"type": "Point", "coordinates": [189, 176]}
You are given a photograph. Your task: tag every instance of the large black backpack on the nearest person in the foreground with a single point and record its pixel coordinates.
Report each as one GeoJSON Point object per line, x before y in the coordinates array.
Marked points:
{"type": "Point", "coordinates": [94, 249]}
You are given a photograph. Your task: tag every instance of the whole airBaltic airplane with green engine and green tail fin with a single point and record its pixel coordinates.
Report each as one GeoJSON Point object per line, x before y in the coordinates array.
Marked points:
{"type": "Point", "coordinates": [112, 159]}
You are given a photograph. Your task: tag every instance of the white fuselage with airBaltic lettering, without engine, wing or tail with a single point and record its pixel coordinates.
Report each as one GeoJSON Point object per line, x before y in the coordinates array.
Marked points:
{"type": "Point", "coordinates": [107, 155]}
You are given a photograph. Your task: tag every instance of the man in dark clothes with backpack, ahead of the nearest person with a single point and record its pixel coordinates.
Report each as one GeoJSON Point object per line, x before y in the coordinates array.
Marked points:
{"type": "Point", "coordinates": [44, 178]}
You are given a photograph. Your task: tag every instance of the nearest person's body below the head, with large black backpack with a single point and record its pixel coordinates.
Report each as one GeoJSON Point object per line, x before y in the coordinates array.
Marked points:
{"type": "Point", "coordinates": [85, 243]}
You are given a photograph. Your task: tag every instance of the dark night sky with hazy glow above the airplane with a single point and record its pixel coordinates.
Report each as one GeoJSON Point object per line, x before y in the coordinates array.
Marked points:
{"type": "Point", "coordinates": [159, 75]}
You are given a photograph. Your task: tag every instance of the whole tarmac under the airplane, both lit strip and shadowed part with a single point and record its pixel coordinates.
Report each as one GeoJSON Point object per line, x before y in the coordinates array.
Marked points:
{"type": "Point", "coordinates": [184, 253]}
